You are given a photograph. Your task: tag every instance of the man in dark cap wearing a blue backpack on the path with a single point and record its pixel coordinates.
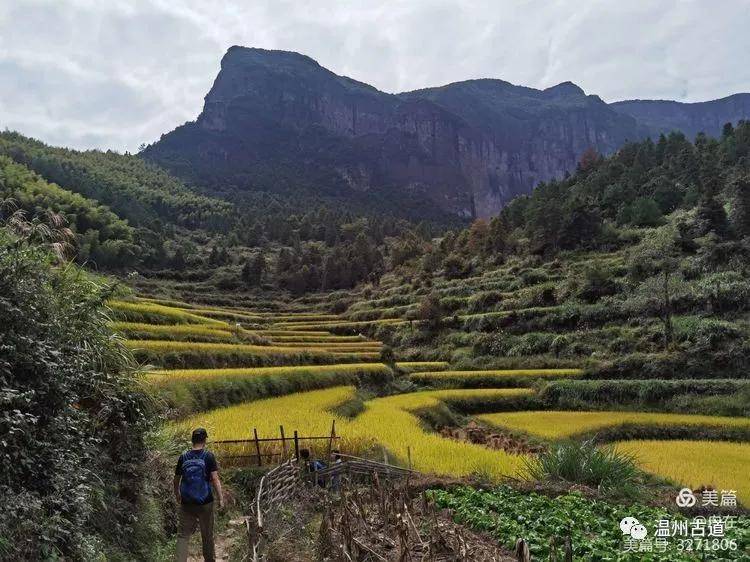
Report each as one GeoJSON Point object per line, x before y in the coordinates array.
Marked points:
{"type": "Point", "coordinates": [195, 473]}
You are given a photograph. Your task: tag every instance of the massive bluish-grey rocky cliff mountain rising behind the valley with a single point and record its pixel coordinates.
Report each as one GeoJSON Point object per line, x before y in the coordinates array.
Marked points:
{"type": "Point", "coordinates": [278, 120]}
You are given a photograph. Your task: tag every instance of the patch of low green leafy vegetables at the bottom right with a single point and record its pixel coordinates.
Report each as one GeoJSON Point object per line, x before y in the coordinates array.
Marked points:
{"type": "Point", "coordinates": [593, 525]}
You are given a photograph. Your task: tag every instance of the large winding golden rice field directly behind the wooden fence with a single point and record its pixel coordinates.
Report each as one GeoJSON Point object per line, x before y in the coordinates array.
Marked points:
{"type": "Point", "coordinates": [384, 421]}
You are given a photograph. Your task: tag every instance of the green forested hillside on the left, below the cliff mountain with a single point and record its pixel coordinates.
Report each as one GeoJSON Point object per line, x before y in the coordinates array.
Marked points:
{"type": "Point", "coordinates": [128, 214]}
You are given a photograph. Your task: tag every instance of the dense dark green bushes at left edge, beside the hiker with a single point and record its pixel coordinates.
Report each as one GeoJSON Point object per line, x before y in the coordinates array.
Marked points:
{"type": "Point", "coordinates": [71, 417]}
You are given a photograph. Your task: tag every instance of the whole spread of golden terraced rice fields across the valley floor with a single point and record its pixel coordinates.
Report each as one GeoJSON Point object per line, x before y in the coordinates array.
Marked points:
{"type": "Point", "coordinates": [295, 368]}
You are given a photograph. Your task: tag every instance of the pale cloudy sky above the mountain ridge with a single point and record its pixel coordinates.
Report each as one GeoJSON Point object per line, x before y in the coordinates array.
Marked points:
{"type": "Point", "coordinates": [112, 74]}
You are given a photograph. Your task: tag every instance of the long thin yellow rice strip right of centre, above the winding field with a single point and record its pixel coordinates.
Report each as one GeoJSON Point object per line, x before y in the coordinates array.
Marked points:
{"type": "Point", "coordinates": [491, 378]}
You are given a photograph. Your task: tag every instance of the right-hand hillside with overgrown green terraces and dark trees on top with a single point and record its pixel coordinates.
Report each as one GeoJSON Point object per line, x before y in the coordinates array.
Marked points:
{"type": "Point", "coordinates": [636, 264]}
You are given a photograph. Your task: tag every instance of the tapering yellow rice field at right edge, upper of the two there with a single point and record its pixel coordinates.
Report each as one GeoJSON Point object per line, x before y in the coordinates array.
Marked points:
{"type": "Point", "coordinates": [559, 424]}
